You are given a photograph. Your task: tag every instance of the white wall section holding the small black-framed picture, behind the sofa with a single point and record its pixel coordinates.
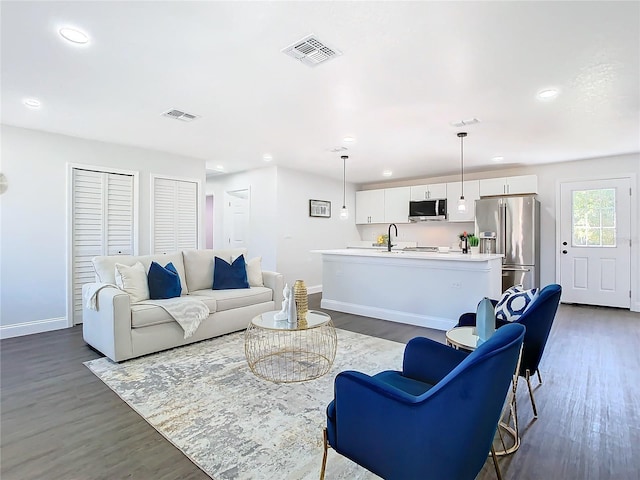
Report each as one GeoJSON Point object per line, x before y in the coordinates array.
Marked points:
{"type": "Point", "coordinates": [281, 230]}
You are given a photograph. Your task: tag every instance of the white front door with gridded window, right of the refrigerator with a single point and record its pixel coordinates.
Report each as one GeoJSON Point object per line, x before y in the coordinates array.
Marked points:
{"type": "Point", "coordinates": [595, 250]}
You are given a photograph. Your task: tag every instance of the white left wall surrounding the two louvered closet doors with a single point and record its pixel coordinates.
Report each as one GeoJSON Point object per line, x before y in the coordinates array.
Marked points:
{"type": "Point", "coordinates": [33, 217]}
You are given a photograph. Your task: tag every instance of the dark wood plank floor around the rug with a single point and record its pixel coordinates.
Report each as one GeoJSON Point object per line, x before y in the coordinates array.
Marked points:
{"type": "Point", "coordinates": [58, 421]}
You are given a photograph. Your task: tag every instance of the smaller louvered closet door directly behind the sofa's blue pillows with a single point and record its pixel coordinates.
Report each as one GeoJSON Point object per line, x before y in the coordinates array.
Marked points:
{"type": "Point", "coordinates": [175, 222]}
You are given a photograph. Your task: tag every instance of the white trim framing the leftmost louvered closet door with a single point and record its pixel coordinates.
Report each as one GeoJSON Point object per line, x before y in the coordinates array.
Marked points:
{"type": "Point", "coordinates": [69, 247]}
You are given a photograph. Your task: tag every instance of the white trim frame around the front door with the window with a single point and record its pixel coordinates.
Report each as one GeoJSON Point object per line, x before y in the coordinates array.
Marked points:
{"type": "Point", "coordinates": [634, 226]}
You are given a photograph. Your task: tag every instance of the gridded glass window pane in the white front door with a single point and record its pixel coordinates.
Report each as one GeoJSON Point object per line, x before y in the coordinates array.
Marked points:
{"type": "Point", "coordinates": [593, 218]}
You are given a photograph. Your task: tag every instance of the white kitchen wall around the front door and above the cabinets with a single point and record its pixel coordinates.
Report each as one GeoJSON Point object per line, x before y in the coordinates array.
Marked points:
{"type": "Point", "coordinates": [549, 178]}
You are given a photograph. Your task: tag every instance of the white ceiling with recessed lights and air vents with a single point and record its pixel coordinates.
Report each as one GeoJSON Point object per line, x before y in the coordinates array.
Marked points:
{"type": "Point", "coordinates": [407, 71]}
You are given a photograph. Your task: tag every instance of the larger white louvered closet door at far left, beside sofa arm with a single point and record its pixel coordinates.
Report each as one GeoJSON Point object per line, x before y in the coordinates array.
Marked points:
{"type": "Point", "coordinates": [102, 221]}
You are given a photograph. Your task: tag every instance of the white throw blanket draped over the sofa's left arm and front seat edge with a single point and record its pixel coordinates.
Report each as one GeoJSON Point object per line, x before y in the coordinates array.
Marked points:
{"type": "Point", "coordinates": [188, 312]}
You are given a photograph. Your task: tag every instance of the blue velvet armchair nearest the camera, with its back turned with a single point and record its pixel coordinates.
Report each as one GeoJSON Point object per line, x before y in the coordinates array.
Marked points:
{"type": "Point", "coordinates": [435, 419]}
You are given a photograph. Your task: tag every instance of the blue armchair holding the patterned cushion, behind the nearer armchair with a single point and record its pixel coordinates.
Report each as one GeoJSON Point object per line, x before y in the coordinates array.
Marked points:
{"type": "Point", "coordinates": [537, 319]}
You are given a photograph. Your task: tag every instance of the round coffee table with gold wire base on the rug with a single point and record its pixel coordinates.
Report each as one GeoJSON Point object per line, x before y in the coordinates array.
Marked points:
{"type": "Point", "coordinates": [284, 353]}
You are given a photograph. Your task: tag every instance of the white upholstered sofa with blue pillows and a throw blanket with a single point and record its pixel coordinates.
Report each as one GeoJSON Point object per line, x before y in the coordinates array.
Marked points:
{"type": "Point", "coordinates": [121, 330]}
